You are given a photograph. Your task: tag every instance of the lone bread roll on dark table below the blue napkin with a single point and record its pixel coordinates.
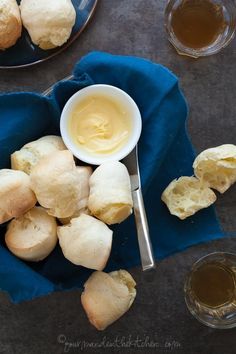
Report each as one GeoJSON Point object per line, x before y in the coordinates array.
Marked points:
{"type": "Point", "coordinates": [107, 297]}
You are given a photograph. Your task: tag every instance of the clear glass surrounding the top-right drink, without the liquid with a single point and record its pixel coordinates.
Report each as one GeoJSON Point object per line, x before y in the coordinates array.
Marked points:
{"type": "Point", "coordinates": [220, 42]}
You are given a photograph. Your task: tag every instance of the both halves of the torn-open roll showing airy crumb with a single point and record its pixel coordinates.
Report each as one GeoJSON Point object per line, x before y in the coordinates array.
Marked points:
{"type": "Point", "coordinates": [214, 168]}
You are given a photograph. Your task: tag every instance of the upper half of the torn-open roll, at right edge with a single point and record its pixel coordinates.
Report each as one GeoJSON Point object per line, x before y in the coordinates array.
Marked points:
{"type": "Point", "coordinates": [217, 167]}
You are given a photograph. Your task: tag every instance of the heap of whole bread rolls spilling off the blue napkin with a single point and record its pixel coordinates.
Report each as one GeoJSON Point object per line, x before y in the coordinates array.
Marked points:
{"type": "Point", "coordinates": [46, 197]}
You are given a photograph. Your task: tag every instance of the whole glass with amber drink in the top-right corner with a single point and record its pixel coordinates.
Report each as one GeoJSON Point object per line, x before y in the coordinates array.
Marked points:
{"type": "Point", "coordinates": [200, 27]}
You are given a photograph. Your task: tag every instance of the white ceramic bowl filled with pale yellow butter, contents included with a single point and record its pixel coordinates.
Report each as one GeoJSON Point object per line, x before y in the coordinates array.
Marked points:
{"type": "Point", "coordinates": [100, 123]}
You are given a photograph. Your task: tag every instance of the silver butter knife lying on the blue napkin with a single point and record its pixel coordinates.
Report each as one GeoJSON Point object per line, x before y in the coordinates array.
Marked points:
{"type": "Point", "coordinates": [145, 245]}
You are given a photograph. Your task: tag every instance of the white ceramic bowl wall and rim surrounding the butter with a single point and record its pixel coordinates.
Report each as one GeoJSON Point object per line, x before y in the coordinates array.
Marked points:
{"type": "Point", "coordinates": [111, 92]}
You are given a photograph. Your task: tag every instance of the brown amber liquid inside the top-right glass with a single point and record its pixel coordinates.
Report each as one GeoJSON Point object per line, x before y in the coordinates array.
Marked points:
{"type": "Point", "coordinates": [197, 23]}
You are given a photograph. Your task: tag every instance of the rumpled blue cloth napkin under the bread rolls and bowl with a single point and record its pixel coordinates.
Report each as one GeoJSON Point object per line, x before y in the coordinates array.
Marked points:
{"type": "Point", "coordinates": [165, 153]}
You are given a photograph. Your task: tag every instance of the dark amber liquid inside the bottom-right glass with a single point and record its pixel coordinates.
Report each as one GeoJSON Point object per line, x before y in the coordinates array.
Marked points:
{"type": "Point", "coordinates": [213, 285]}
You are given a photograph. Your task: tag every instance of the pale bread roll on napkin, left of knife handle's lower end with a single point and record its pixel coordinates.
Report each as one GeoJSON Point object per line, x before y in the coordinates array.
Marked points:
{"type": "Point", "coordinates": [86, 241]}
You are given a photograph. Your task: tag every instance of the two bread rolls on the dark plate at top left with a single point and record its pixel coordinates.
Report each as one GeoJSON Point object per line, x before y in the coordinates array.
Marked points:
{"type": "Point", "coordinates": [48, 22]}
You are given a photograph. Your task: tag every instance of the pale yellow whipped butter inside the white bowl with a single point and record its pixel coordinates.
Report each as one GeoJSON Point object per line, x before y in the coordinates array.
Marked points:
{"type": "Point", "coordinates": [99, 124]}
